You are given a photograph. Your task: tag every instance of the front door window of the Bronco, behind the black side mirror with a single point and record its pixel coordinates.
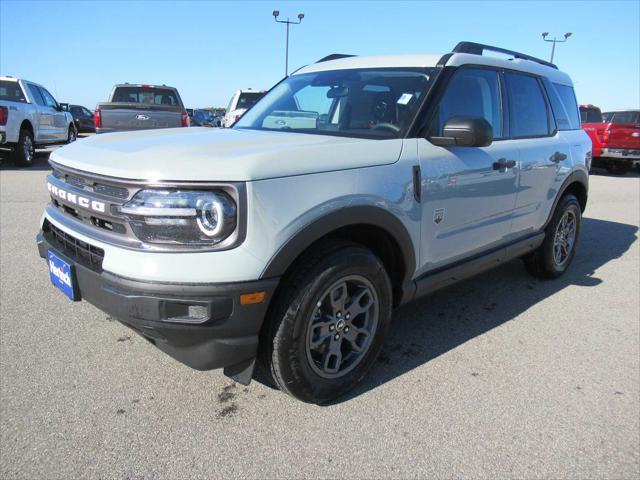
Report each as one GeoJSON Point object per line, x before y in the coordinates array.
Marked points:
{"type": "Point", "coordinates": [472, 93]}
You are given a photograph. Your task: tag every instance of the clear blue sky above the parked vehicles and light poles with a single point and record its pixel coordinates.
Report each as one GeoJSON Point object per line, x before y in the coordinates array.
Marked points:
{"type": "Point", "coordinates": [79, 50]}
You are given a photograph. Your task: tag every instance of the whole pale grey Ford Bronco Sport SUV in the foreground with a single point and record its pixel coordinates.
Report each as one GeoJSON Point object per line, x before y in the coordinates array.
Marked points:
{"type": "Point", "coordinates": [355, 185]}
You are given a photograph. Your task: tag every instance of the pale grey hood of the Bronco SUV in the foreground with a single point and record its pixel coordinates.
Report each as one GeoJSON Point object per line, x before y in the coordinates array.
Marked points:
{"type": "Point", "coordinates": [203, 154]}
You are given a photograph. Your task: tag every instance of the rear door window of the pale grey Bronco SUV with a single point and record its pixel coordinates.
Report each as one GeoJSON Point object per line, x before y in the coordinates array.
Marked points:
{"type": "Point", "coordinates": [527, 106]}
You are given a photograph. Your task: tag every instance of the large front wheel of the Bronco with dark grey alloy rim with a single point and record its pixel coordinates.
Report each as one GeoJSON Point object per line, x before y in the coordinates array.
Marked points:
{"type": "Point", "coordinates": [328, 323]}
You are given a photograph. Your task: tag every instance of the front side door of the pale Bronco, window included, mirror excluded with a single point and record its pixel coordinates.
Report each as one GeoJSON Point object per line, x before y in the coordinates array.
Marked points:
{"type": "Point", "coordinates": [468, 192]}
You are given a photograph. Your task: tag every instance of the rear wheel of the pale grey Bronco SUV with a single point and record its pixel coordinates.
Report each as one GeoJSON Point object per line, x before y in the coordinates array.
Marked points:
{"type": "Point", "coordinates": [555, 254]}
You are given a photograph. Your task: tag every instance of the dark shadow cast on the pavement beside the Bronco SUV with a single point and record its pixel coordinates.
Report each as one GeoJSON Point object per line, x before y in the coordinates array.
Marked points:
{"type": "Point", "coordinates": [430, 327]}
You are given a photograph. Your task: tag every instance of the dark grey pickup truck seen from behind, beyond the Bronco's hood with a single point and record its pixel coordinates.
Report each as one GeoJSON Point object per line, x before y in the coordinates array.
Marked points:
{"type": "Point", "coordinates": [140, 107]}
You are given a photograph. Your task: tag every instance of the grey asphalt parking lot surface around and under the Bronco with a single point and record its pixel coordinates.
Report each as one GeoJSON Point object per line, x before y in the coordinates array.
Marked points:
{"type": "Point", "coordinates": [500, 376]}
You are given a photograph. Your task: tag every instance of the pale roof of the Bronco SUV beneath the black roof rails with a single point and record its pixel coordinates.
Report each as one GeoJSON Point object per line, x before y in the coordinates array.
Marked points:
{"type": "Point", "coordinates": [431, 60]}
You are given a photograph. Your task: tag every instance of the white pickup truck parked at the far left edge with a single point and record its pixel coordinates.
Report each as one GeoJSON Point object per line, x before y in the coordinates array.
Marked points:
{"type": "Point", "coordinates": [30, 117]}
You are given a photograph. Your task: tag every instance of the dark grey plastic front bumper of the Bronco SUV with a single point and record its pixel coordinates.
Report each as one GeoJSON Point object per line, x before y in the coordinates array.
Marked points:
{"type": "Point", "coordinates": [224, 336]}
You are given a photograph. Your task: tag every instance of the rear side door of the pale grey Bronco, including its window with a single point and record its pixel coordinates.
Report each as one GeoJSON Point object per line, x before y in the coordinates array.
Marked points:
{"type": "Point", "coordinates": [545, 155]}
